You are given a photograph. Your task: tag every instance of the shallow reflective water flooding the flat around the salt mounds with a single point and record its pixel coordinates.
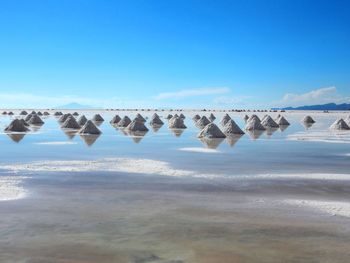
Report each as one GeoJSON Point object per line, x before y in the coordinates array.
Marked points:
{"type": "Point", "coordinates": [168, 198]}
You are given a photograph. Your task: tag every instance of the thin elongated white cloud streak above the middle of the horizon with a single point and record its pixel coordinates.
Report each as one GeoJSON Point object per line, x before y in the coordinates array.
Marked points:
{"type": "Point", "coordinates": [192, 93]}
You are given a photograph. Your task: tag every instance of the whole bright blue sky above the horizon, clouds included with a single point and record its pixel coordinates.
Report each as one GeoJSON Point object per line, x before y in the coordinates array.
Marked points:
{"type": "Point", "coordinates": [174, 53]}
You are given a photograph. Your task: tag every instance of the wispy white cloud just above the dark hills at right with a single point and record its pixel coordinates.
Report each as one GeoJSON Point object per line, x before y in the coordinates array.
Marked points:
{"type": "Point", "coordinates": [317, 96]}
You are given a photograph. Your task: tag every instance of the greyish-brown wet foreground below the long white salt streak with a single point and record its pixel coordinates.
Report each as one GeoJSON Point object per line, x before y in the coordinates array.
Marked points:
{"type": "Point", "coordinates": [115, 217]}
